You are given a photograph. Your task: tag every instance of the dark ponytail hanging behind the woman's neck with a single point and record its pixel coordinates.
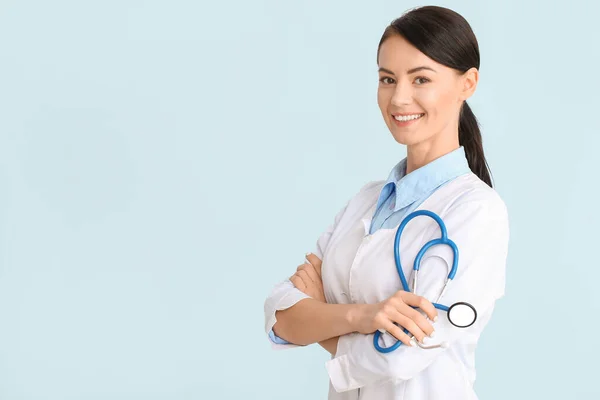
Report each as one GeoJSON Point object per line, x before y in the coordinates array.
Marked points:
{"type": "Point", "coordinates": [469, 136]}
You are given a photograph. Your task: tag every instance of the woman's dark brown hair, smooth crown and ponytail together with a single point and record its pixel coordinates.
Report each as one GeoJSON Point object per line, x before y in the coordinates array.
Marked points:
{"type": "Point", "coordinates": [447, 38]}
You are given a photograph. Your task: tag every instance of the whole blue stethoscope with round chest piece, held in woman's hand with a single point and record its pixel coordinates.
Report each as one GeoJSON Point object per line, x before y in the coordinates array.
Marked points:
{"type": "Point", "coordinates": [460, 314]}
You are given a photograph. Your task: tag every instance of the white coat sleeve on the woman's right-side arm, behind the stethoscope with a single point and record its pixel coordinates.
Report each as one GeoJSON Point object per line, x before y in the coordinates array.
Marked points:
{"type": "Point", "coordinates": [480, 231]}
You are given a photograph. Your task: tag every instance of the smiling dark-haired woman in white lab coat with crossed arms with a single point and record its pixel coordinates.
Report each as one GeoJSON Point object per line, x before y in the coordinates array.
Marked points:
{"type": "Point", "coordinates": [349, 287]}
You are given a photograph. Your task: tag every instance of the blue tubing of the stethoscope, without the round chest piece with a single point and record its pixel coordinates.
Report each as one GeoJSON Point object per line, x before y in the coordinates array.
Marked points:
{"type": "Point", "coordinates": [442, 240]}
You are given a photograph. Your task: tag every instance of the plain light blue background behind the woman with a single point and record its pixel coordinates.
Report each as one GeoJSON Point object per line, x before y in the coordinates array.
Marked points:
{"type": "Point", "coordinates": [164, 164]}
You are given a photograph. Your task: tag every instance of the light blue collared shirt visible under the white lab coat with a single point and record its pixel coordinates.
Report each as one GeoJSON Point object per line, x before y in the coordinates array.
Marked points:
{"type": "Point", "coordinates": [403, 193]}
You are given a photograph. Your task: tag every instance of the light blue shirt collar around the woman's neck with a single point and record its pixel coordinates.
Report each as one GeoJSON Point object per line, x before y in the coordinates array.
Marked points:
{"type": "Point", "coordinates": [422, 181]}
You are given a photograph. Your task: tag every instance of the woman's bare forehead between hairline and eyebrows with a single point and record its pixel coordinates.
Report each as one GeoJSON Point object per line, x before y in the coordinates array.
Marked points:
{"type": "Point", "coordinates": [396, 53]}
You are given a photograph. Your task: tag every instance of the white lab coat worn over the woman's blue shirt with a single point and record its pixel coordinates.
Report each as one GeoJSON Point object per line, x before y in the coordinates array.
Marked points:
{"type": "Point", "coordinates": [360, 268]}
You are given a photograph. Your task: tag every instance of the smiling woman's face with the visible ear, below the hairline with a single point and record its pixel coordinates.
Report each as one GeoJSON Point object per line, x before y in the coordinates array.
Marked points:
{"type": "Point", "coordinates": [426, 96]}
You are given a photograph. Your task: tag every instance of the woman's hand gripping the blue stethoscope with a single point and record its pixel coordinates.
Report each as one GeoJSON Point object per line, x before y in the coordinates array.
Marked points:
{"type": "Point", "coordinates": [397, 309]}
